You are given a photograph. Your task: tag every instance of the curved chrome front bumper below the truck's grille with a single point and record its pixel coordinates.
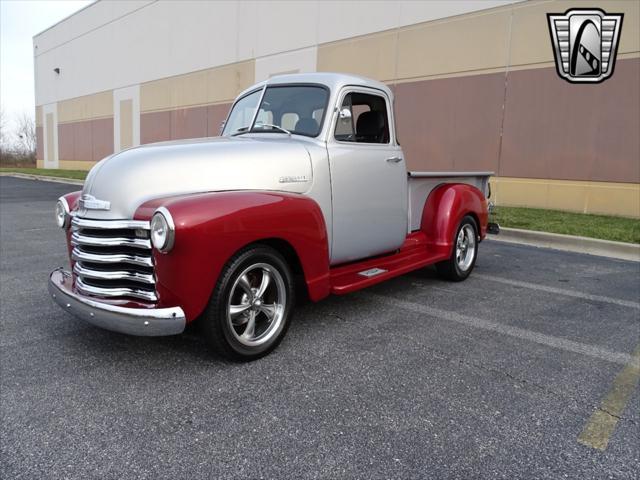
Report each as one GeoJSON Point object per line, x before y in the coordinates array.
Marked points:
{"type": "Point", "coordinates": [132, 321]}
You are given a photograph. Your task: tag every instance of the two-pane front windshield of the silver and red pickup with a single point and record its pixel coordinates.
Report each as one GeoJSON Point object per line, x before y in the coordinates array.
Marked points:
{"type": "Point", "coordinates": [297, 109]}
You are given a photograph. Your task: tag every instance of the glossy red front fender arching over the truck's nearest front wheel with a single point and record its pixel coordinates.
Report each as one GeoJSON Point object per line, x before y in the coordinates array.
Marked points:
{"type": "Point", "coordinates": [211, 227]}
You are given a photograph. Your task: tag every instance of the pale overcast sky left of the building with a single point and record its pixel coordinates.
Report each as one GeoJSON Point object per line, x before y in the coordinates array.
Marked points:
{"type": "Point", "coordinates": [20, 20]}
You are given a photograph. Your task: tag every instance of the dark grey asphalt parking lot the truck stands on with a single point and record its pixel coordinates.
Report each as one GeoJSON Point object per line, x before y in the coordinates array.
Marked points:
{"type": "Point", "coordinates": [494, 377]}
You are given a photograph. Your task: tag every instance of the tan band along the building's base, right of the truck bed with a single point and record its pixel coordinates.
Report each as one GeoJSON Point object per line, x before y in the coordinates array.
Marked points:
{"type": "Point", "coordinates": [606, 198]}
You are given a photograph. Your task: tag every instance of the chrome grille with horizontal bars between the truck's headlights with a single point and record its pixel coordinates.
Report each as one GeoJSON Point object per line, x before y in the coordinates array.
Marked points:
{"type": "Point", "coordinates": [113, 258]}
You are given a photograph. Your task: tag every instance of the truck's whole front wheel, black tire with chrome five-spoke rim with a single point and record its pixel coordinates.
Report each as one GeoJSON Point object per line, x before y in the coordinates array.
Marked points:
{"type": "Point", "coordinates": [227, 332]}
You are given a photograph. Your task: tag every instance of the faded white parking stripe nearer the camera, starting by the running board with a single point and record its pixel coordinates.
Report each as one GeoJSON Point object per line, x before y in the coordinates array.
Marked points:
{"type": "Point", "coordinates": [540, 338]}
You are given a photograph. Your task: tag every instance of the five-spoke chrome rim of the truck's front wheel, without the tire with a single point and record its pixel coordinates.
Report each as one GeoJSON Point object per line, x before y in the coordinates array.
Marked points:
{"type": "Point", "coordinates": [256, 304]}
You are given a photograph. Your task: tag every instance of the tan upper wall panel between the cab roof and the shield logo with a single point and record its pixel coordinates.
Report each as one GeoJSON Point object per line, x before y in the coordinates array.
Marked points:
{"type": "Point", "coordinates": [460, 44]}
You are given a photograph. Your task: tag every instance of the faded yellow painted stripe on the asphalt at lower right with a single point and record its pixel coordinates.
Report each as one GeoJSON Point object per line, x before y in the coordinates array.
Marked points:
{"type": "Point", "coordinates": [603, 421]}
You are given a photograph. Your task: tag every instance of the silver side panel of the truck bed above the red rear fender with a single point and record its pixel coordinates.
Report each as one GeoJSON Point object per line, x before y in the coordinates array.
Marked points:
{"type": "Point", "coordinates": [420, 185]}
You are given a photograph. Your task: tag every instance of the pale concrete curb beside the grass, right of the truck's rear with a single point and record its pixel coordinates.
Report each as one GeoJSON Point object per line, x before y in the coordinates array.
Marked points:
{"type": "Point", "coordinates": [592, 246]}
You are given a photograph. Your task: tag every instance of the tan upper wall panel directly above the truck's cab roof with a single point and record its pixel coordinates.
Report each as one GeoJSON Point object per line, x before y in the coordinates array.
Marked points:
{"type": "Point", "coordinates": [372, 56]}
